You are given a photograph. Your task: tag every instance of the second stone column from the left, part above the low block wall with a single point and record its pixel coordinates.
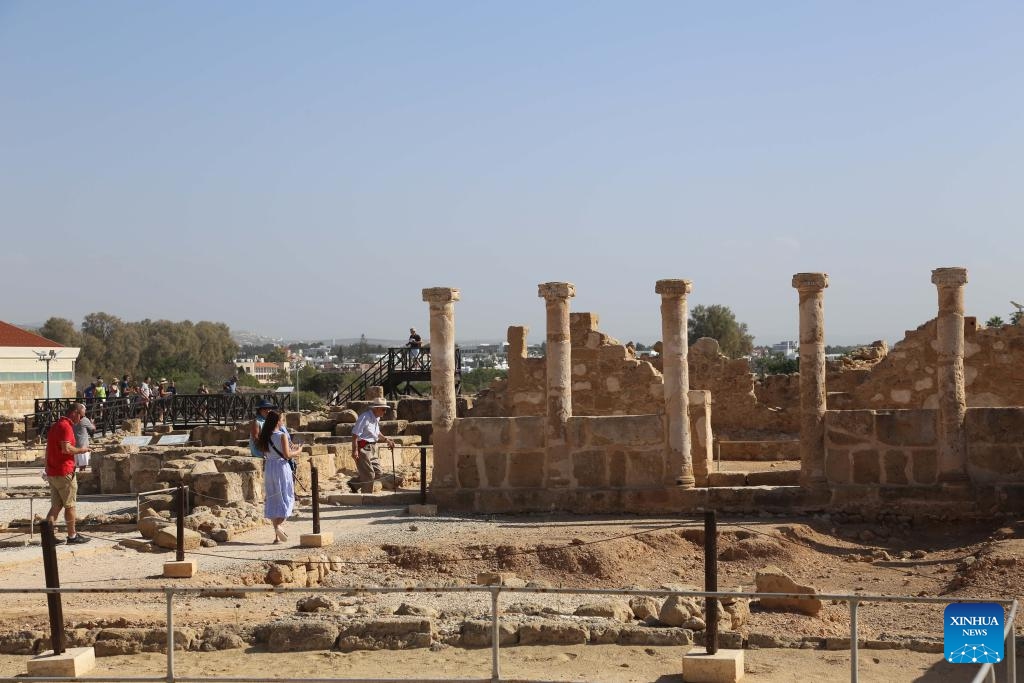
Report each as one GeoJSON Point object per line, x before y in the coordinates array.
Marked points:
{"type": "Point", "coordinates": [560, 357]}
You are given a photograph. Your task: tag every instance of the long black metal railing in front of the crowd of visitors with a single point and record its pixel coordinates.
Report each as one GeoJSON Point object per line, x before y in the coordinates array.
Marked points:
{"type": "Point", "coordinates": [179, 411]}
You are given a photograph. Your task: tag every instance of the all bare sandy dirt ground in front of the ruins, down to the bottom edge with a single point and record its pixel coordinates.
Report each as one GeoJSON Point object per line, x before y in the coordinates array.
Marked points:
{"type": "Point", "coordinates": [386, 547]}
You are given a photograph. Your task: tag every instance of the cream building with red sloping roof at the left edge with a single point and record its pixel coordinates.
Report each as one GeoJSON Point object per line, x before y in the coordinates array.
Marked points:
{"type": "Point", "coordinates": [23, 374]}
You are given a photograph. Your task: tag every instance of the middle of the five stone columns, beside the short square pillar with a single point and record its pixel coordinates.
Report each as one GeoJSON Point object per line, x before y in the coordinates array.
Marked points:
{"type": "Point", "coordinates": [677, 379]}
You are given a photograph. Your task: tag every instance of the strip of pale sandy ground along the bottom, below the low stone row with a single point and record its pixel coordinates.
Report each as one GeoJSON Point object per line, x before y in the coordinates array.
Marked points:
{"type": "Point", "coordinates": [609, 664]}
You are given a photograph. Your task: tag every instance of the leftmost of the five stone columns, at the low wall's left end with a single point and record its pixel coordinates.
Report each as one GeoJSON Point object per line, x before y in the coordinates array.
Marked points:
{"type": "Point", "coordinates": [443, 395]}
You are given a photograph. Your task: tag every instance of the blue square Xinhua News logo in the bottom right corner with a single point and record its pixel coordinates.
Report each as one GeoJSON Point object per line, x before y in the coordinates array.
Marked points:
{"type": "Point", "coordinates": [973, 633]}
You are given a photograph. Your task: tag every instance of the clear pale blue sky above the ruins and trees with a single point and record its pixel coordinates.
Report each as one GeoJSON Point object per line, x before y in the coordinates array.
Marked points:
{"type": "Point", "coordinates": [306, 169]}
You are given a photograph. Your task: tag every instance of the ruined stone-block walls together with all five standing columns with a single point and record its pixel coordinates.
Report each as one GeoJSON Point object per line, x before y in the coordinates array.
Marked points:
{"type": "Point", "coordinates": [593, 429]}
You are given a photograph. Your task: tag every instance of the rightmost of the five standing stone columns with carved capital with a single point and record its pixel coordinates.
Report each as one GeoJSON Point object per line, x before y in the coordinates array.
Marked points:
{"type": "Point", "coordinates": [953, 396]}
